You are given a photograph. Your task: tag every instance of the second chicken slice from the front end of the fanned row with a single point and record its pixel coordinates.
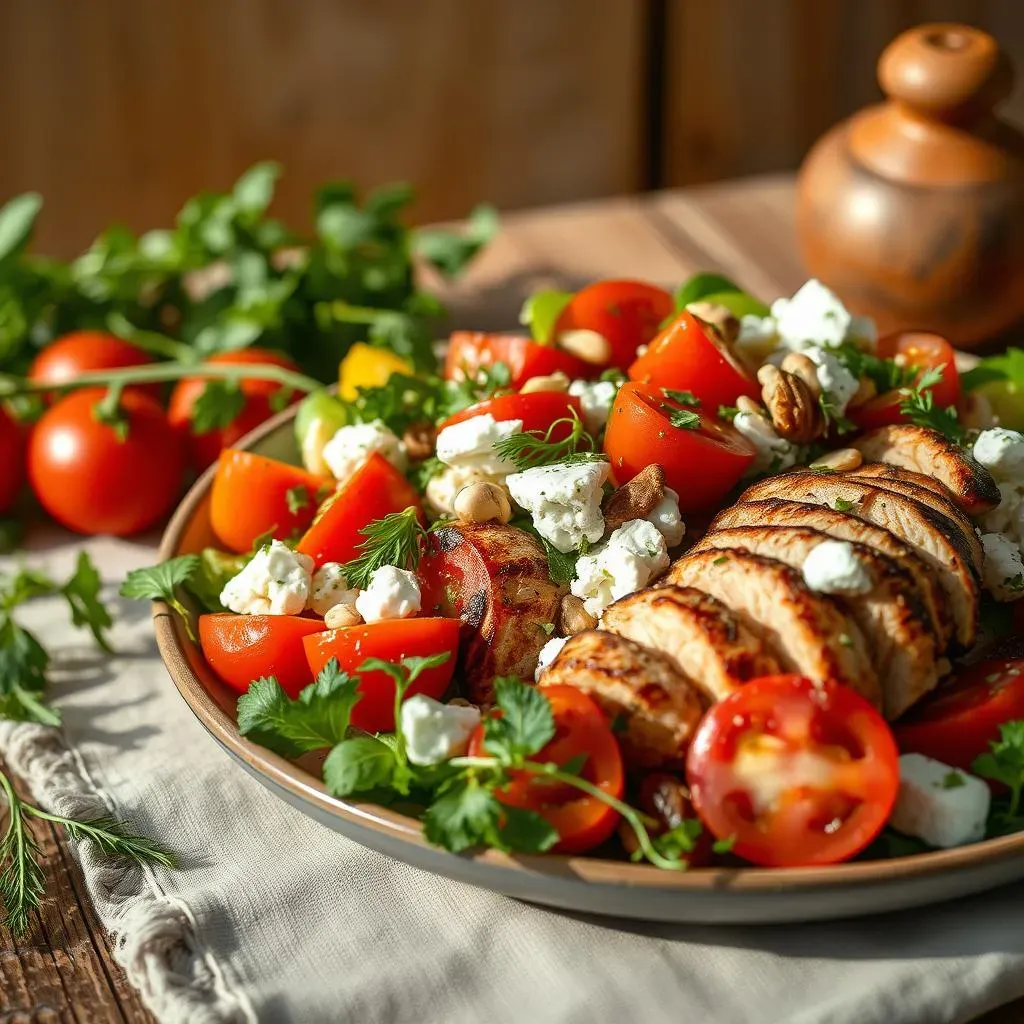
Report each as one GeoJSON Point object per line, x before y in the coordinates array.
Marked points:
{"type": "Point", "coordinates": [700, 635]}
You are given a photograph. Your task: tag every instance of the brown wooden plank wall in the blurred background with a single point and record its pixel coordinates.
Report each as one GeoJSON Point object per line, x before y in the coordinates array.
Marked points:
{"type": "Point", "coordinates": [121, 109]}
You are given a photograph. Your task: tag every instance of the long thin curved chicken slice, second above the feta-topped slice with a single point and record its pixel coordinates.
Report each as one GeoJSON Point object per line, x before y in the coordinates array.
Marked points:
{"type": "Point", "coordinates": [934, 537]}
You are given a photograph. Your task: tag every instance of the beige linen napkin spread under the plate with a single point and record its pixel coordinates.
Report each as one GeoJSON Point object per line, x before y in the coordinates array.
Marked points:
{"type": "Point", "coordinates": [274, 918]}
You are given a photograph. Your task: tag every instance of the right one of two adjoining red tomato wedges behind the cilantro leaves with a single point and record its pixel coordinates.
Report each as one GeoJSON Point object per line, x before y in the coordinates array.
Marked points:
{"type": "Point", "coordinates": [392, 642]}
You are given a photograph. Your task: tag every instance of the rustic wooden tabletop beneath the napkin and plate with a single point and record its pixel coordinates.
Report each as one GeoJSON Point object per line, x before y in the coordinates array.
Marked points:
{"type": "Point", "coordinates": [64, 970]}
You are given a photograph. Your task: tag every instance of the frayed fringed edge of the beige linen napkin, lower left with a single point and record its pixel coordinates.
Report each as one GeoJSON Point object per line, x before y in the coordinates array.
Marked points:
{"type": "Point", "coordinates": [157, 943]}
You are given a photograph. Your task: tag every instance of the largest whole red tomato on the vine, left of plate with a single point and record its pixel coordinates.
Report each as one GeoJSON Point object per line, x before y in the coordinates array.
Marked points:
{"type": "Point", "coordinates": [92, 481]}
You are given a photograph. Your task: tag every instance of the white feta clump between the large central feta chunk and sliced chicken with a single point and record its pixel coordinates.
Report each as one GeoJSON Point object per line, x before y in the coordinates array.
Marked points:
{"type": "Point", "coordinates": [628, 561]}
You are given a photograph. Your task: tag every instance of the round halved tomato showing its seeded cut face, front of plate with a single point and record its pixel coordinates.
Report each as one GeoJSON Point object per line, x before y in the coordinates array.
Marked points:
{"type": "Point", "coordinates": [798, 774]}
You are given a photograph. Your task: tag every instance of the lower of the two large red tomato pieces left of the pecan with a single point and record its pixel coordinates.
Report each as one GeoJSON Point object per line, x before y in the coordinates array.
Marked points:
{"type": "Point", "coordinates": [703, 464]}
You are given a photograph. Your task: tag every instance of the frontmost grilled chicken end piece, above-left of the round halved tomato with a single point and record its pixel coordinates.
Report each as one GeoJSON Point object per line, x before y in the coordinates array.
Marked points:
{"type": "Point", "coordinates": [658, 707]}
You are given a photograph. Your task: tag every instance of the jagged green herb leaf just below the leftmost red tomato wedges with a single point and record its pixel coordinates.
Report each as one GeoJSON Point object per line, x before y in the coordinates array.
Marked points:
{"type": "Point", "coordinates": [317, 719]}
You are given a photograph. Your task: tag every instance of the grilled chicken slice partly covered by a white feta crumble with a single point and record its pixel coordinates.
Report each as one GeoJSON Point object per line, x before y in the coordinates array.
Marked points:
{"type": "Point", "coordinates": [890, 616]}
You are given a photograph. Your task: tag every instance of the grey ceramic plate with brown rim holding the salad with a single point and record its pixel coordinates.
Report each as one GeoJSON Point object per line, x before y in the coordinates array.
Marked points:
{"type": "Point", "coordinates": [584, 884]}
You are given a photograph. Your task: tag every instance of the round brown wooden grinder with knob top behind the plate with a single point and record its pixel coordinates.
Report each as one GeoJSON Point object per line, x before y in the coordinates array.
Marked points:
{"type": "Point", "coordinates": [913, 210]}
